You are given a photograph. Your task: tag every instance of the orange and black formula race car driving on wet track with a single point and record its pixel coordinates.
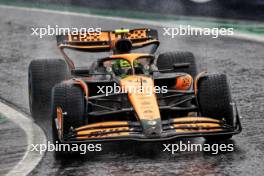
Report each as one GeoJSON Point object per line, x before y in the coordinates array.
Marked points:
{"type": "Point", "coordinates": [130, 96]}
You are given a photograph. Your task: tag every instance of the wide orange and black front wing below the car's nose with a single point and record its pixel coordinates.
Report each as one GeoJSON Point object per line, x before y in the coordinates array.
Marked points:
{"type": "Point", "coordinates": [173, 128]}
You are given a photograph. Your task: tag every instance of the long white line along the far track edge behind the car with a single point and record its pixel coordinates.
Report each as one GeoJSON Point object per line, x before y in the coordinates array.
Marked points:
{"type": "Point", "coordinates": [239, 35]}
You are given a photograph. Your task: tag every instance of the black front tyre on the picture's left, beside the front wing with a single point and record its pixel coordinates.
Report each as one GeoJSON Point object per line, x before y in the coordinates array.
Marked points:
{"type": "Point", "coordinates": [70, 99]}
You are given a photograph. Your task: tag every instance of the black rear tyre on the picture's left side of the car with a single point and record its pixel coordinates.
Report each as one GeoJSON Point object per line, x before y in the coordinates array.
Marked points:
{"type": "Point", "coordinates": [42, 76]}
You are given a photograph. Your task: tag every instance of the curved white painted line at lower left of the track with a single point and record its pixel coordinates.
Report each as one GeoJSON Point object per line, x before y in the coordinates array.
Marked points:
{"type": "Point", "coordinates": [34, 135]}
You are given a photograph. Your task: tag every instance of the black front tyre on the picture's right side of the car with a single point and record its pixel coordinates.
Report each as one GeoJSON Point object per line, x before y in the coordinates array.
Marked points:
{"type": "Point", "coordinates": [215, 100]}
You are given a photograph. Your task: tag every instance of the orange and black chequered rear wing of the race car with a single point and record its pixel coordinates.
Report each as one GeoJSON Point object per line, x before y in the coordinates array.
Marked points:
{"type": "Point", "coordinates": [105, 40]}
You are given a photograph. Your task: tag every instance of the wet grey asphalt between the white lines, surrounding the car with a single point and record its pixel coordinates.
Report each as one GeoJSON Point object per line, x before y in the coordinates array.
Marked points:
{"type": "Point", "coordinates": [243, 61]}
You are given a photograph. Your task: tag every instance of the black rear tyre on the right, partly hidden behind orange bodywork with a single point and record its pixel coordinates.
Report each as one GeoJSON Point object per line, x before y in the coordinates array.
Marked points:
{"type": "Point", "coordinates": [168, 59]}
